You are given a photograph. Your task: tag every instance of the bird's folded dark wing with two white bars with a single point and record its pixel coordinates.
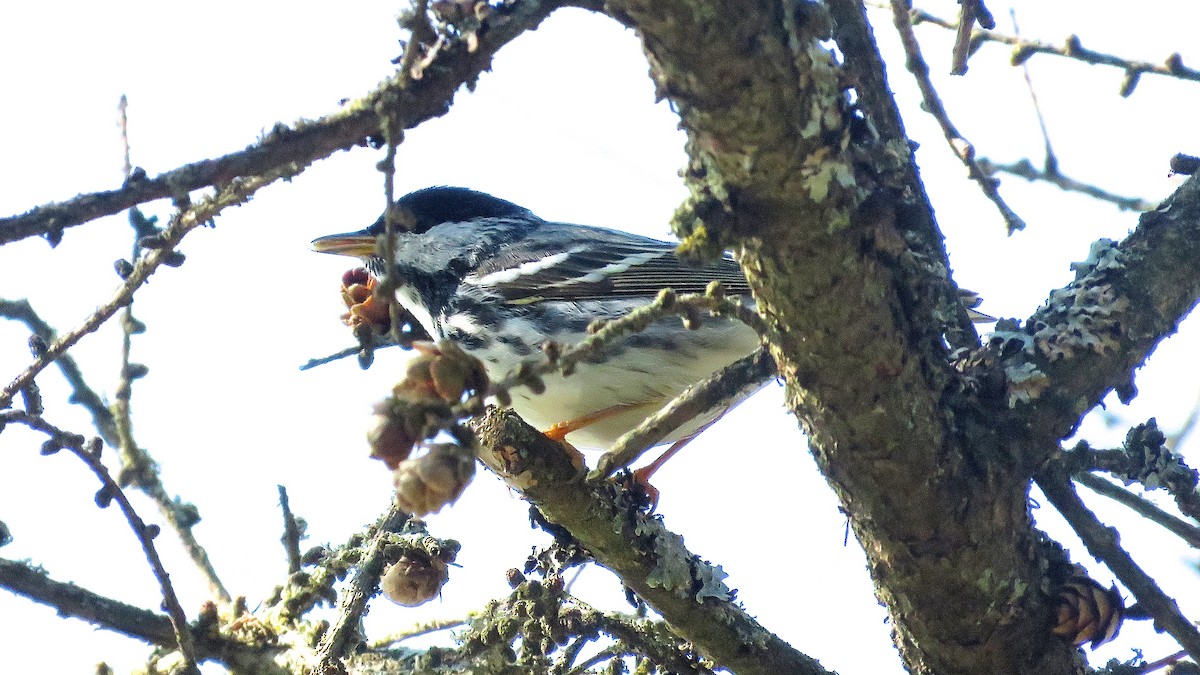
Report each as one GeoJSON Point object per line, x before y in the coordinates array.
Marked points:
{"type": "Point", "coordinates": [569, 262]}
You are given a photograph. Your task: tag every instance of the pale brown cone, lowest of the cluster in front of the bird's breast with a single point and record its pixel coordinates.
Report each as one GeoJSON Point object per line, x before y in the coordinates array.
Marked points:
{"type": "Point", "coordinates": [435, 480]}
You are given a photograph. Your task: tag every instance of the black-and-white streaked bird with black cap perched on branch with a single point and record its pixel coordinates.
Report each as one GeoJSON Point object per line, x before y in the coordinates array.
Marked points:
{"type": "Point", "coordinates": [500, 283]}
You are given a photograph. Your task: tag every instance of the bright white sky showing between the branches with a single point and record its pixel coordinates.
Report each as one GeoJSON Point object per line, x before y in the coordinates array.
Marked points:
{"type": "Point", "coordinates": [567, 127]}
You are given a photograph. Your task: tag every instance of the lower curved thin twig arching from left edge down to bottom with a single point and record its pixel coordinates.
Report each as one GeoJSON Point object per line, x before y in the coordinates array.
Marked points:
{"type": "Point", "coordinates": [111, 492]}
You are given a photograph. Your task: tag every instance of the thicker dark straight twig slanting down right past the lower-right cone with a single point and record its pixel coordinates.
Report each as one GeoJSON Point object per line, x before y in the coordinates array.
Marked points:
{"type": "Point", "coordinates": [1102, 543]}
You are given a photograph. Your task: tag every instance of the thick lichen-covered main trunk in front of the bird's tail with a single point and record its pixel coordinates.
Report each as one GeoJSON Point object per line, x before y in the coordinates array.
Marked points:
{"type": "Point", "coordinates": [947, 536]}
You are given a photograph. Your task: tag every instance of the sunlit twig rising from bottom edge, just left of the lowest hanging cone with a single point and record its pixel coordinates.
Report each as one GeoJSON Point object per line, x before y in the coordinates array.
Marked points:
{"type": "Point", "coordinates": [334, 644]}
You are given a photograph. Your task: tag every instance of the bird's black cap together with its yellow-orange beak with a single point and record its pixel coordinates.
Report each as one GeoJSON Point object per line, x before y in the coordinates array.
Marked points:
{"type": "Point", "coordinates": [423, 211]}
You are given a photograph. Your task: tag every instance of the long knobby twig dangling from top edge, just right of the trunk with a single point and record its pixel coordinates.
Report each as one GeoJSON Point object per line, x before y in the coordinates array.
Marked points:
{"type": "Point", "coordinates": [933, 105]}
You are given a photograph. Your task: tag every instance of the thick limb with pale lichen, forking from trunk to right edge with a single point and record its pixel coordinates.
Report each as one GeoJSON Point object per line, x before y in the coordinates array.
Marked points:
{"type": "Point", "coordinates": [1091, 336]}
